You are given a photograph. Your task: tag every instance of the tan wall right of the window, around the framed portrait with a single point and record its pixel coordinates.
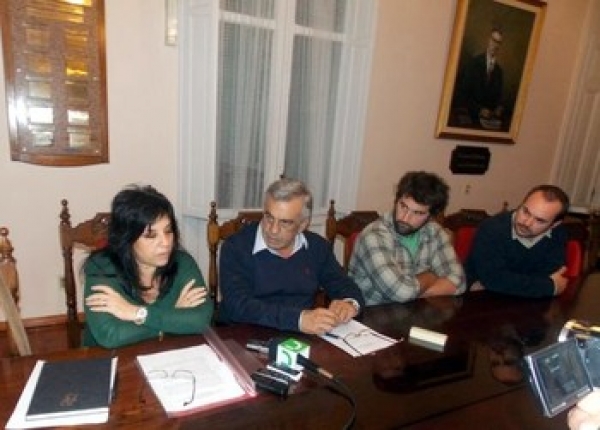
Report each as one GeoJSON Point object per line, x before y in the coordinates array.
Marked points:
{"type": "Point", "coordinates": [407, 78]}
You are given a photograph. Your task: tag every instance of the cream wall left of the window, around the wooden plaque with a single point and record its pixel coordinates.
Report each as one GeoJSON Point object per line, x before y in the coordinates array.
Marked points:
{"type": "Point", "coordinates": [142, 107]}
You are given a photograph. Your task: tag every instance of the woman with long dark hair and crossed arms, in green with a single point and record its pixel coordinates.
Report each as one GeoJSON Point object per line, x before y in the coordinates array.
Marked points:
{"type": "Point", "coordinates": [142, 284]}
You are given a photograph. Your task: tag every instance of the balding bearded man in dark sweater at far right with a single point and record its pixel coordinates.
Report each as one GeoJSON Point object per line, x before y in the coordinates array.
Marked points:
{"type": "Point", "coordinates": [523, 252]}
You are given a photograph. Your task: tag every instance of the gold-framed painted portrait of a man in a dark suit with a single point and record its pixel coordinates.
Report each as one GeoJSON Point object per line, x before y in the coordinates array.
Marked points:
{"type": "Point", "coordinates": [492, 52]}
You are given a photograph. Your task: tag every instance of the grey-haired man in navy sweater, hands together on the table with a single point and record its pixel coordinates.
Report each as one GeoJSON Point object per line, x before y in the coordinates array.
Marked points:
{"type": "Point", "coordinates": [271, 272]}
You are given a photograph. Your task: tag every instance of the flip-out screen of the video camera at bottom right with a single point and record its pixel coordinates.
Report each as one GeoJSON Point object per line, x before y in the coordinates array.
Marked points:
{"type": "Point", "coordinates": [558, 375]}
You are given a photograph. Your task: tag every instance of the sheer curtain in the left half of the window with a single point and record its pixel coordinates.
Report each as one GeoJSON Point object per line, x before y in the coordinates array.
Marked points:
{"type": "Point", "coordinates": [245, 51]}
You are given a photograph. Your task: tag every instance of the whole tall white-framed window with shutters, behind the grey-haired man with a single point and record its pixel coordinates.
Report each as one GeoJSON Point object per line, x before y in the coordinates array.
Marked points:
{"type": "Point", "coordinates": [270, 88]}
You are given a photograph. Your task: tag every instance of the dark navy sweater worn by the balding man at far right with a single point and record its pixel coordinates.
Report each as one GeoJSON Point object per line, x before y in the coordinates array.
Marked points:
{"type": "Point", "coordinates": [504, 265]}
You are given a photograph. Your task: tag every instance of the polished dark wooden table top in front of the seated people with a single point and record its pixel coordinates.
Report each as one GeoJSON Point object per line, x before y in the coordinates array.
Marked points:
{"type": "Point", "coordinates": [408, 386]}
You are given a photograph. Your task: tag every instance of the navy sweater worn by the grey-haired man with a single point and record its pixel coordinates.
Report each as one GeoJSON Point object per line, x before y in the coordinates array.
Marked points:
{"type": "Point", "coordinates": [268, 290]}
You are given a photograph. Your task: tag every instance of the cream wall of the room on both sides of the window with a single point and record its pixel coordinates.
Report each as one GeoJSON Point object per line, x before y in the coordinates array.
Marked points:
{"type": "Point", "coordinates": [407, 76]}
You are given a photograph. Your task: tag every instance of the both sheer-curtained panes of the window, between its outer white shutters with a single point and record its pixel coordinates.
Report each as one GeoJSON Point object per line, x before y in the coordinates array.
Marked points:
{"type": "Point", "coordinates": [308, 34]}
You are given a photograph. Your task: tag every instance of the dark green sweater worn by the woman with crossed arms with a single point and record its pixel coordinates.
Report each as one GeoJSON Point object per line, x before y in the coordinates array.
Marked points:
{"type": "Point", "coordinates": [110, 332]}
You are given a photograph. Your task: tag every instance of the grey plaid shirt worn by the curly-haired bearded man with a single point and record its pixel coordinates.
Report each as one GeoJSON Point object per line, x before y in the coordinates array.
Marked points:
{"type": "Point", "coordinates": [385, 271]}
